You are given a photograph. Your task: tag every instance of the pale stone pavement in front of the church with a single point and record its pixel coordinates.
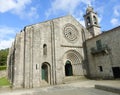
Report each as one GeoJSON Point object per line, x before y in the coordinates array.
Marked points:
{"type": "Point", "coordinates": [82, 87]}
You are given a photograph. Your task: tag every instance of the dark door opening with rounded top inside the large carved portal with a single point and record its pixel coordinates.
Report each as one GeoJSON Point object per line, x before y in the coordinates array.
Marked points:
{"type": "Point", "coordinates": [68, 68]}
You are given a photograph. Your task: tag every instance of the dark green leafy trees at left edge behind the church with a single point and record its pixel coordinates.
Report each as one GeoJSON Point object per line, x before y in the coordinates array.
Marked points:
{"type": "Point", "coordinates": [3, 56]}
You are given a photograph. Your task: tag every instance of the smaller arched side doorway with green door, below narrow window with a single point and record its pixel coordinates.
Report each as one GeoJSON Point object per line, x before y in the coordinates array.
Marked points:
{"type": "Point", "coordinates": [45, 72]}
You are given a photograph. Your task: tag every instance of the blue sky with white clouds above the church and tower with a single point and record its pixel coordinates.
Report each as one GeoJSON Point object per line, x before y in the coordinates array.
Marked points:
{"type": "Point", "coordinates": [16, 14]}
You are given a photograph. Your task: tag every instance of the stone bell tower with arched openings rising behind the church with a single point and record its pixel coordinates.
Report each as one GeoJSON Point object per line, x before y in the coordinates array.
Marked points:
{"type": "Point", "coordinates": [91, 21]}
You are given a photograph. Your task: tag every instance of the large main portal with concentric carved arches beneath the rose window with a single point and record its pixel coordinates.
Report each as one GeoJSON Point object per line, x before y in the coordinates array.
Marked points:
{"type": "Point", "coordinates": [72, 63]}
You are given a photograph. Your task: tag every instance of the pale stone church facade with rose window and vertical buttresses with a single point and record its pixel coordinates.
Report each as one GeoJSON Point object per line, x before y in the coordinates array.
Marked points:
{"type": "Point", "coordinates": [46, 53]}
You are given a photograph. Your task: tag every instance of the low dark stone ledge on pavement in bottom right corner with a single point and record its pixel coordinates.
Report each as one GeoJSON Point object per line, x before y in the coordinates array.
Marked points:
{"type": "Point", "coordinates": [108, 88]}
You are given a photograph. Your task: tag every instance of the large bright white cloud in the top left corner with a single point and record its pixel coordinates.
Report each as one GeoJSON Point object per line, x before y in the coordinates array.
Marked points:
{"type": "Point", "coordinates": [19, 7]}
